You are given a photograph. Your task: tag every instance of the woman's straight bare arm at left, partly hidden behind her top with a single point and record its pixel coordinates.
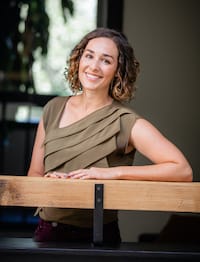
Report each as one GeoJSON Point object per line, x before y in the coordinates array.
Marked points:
{"type": "Point", "coordinates": [37, 167]}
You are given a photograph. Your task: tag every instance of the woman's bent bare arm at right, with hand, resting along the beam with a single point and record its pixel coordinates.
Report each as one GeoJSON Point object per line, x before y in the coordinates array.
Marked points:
{"type": "Point", "coordinates": [169, 164]}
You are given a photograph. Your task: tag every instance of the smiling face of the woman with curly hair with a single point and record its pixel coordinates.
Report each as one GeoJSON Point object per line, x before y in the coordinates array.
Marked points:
{"type": "Point", "coordinates": [98, 64]}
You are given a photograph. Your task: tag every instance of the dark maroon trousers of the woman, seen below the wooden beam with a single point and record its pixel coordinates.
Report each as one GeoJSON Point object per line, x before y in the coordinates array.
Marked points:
{"type": "Point", "coordinates": [56, 232]}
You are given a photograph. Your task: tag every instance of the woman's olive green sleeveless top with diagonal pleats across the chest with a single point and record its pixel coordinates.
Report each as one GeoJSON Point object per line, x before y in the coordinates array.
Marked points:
{"type": "Point", "coordinates": [99, 139]}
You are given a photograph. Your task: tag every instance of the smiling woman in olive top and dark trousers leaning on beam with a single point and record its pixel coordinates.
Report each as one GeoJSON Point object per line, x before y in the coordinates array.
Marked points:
{"type": "Point", "coordinates": [93, 135]}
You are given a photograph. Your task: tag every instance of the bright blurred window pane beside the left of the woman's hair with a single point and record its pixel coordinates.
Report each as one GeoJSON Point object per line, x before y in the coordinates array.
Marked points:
{"type": "Point", "coordinates": [48, 72]}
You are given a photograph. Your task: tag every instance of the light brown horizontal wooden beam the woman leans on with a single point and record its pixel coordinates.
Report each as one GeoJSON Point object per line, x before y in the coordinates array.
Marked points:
{"type": "Point", "coordinates": [118, 194]}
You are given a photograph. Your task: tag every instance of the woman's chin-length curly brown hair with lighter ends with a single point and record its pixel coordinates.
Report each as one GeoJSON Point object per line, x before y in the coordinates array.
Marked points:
{"type": "Point", "coordinates": [122, 87]}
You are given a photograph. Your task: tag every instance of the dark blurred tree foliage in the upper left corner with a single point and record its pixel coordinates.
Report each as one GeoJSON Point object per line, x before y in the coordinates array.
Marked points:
{"type": "Point", "coordinates": [24, 28]}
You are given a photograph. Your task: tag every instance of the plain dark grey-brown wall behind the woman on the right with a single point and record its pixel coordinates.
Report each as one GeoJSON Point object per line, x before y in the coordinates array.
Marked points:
{"type": "Point", "coordinates": [166, 39]}
